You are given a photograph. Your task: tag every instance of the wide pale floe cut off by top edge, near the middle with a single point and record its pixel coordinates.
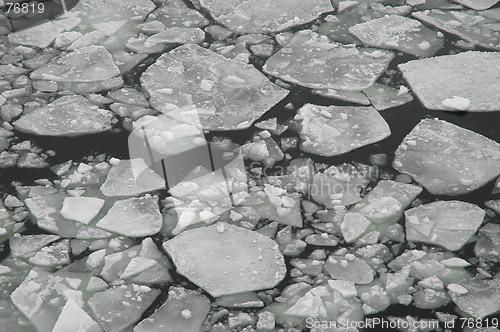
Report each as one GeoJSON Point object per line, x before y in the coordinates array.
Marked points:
{"type": "Point", "coordinates": [263, 16]}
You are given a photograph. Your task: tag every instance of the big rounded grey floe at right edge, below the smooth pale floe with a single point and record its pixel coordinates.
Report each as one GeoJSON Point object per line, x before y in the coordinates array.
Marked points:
{"type": "Point", "coordinates": [447, 159]}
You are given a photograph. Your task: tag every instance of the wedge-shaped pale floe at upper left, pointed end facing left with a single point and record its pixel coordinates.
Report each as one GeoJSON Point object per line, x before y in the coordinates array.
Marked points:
{"type": "Point", "coordinates": [86, 64]}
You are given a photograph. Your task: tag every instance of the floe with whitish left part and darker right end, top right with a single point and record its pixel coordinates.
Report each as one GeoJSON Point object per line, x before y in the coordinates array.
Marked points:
{"type": "Point", "coordinates": [399, 33]}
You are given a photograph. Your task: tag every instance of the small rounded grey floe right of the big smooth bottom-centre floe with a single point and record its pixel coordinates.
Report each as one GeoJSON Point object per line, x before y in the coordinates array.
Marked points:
{"type": "Point", "coordinates": [353, 269]}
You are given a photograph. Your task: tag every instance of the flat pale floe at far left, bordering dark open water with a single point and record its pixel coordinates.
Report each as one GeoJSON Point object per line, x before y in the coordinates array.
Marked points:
{"type": "Point", "coordinates": [66, 116]}
